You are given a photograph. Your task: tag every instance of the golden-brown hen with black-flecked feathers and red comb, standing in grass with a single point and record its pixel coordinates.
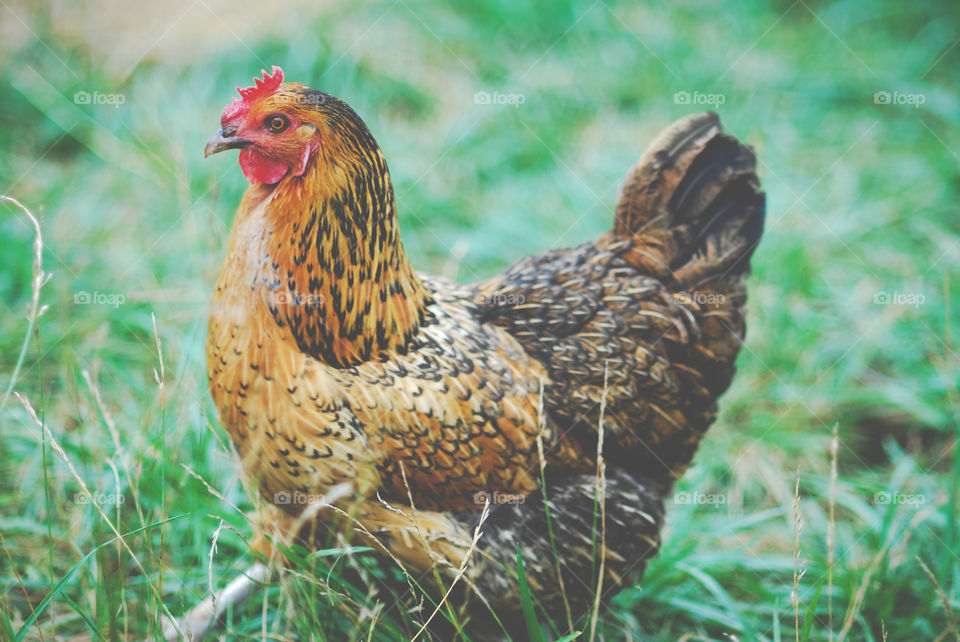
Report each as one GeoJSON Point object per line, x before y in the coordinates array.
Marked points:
{"type": "Point", "coordinates": [405, 401]}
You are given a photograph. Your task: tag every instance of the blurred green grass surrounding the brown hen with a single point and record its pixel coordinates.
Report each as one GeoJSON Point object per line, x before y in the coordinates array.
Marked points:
{"type": "Point", "coordinates": [862, 202]}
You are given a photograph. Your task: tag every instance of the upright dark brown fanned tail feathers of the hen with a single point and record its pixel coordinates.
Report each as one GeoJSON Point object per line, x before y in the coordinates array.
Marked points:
{"type": "Point", "coordinates": [692, 205]}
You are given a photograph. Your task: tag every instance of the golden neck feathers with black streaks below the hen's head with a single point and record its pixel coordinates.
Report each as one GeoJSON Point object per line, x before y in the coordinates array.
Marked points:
{"type": "Point", "coordinates": [336, 272]}
